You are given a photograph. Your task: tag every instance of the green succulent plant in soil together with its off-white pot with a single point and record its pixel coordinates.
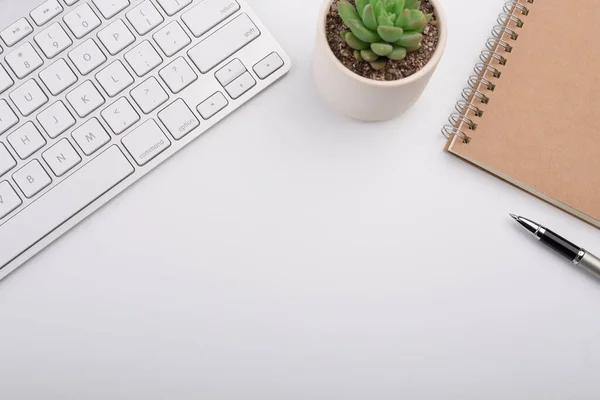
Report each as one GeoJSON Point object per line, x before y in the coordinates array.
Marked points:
{"type": "Point", "coordinates": [374, 58]}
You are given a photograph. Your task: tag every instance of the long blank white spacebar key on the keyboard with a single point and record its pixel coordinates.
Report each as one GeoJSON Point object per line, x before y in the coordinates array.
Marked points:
{"type": "Point", "coordinates": [69, 197]}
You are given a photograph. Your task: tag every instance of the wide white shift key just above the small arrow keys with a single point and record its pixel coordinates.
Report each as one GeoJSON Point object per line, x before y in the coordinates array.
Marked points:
{"type": "Point", "coordinates": [223, 43]}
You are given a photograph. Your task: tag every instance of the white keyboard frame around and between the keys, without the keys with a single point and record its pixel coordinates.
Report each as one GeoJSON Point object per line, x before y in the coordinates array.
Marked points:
{"type": "Point", "coordinates": [208, 84]}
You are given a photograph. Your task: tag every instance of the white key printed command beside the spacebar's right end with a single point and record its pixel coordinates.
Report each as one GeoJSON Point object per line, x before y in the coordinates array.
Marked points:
{"type": "Point", "coordinates": [146, 142]}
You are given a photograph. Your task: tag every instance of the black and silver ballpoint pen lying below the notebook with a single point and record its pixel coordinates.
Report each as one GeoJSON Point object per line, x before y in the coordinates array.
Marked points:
{"type": "Point", "coordinates": [574, 253]}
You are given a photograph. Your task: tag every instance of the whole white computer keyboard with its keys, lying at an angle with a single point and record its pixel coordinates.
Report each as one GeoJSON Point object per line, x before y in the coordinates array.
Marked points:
{"type": "Point", "coordinates": [94, 94]}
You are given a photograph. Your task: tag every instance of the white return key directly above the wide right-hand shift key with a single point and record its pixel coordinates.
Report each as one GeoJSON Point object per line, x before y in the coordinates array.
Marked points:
{"type": "Point", "coordinates": [208, 14]}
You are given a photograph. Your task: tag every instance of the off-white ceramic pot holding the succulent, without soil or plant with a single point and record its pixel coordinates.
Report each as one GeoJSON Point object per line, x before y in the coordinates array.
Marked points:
{"type": "Point", "coordinates": [366, 99]}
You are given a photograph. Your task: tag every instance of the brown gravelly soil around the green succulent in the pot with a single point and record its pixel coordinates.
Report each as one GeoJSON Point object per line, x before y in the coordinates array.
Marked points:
{"type": "Point", "coordinates": [394, 70]}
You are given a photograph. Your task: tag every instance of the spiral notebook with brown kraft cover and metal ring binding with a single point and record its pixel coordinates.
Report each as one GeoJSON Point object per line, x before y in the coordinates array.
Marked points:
{"type": "Point", "coordinates": [531, 111]}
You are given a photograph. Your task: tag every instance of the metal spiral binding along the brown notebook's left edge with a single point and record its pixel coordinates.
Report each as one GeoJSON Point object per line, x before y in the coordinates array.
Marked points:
{"type": "Point", "coordinates": [496, 48]}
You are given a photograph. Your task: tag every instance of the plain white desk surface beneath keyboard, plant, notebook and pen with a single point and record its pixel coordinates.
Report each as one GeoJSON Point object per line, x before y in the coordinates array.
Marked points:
{"type": "Point", "coordinates": [292, 253]}
